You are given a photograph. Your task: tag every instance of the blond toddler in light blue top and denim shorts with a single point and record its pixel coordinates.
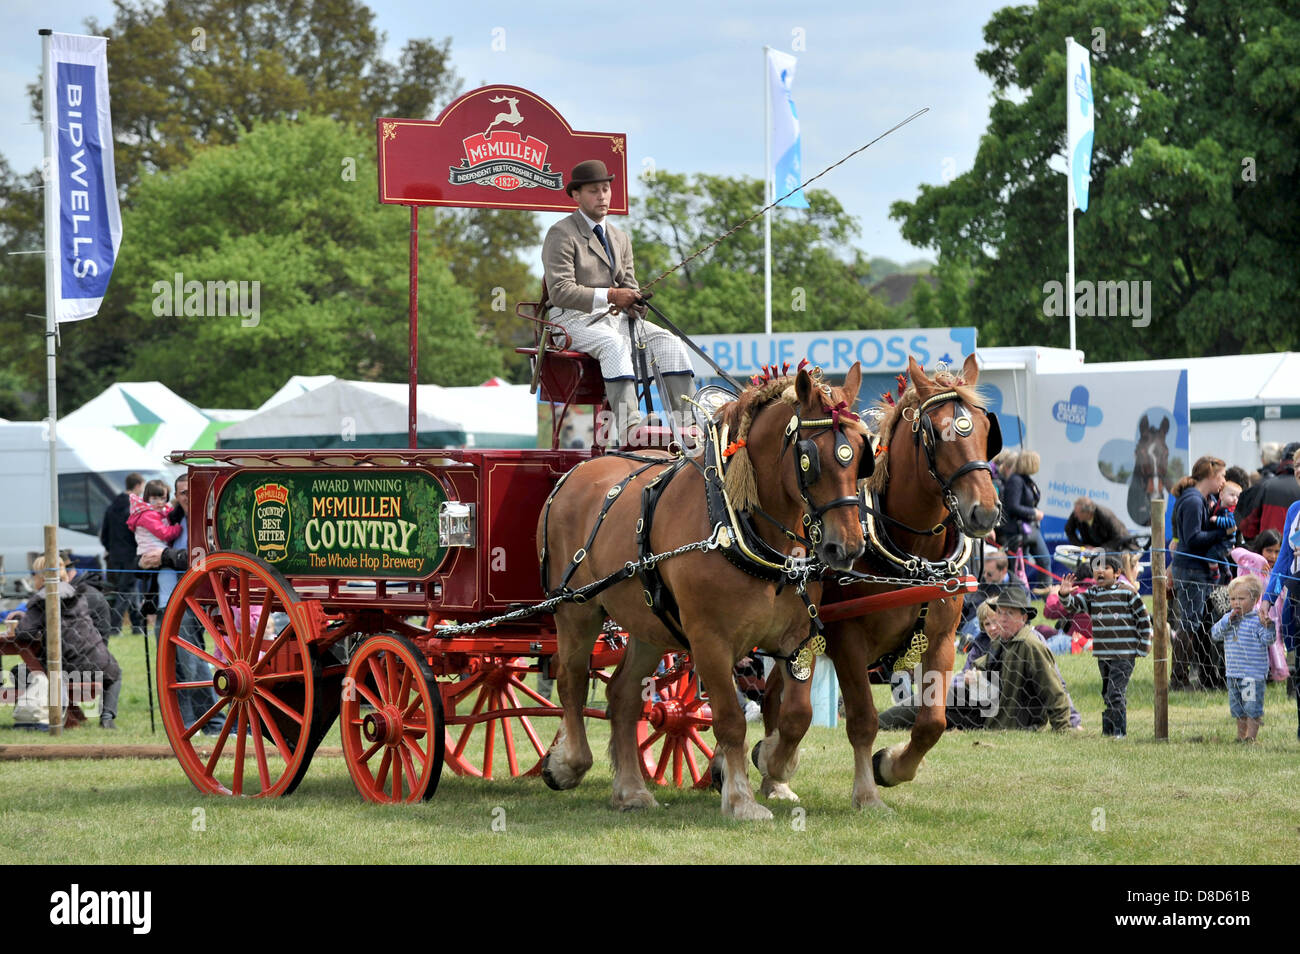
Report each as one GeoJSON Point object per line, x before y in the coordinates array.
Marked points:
{"type": "Point", "coordinates": [1246, 651]}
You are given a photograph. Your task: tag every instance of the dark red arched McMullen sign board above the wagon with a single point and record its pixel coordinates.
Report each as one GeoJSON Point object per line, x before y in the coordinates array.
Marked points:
{"type": "Point", "coordinates": [499, 148]}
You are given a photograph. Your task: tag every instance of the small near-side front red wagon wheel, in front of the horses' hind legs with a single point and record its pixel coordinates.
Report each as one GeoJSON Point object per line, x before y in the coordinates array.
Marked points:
{"type": "Point", "coordinates": [395, 749]}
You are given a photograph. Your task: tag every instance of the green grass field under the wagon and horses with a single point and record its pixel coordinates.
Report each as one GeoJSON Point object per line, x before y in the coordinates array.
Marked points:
{"type": "Point", "coordinates": [981, 797]}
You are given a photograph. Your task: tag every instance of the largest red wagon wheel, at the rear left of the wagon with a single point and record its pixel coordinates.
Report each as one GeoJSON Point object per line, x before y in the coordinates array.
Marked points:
{"type": "Point", "coordinates": [261, 682]}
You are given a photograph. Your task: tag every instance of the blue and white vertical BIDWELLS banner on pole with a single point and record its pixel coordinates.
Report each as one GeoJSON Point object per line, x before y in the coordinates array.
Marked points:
{"type": "Point", "coordinates": [80, 179]}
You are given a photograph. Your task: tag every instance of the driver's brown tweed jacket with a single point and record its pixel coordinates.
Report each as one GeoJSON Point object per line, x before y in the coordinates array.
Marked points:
{"type": "Point", "coordinates": [577, 264]}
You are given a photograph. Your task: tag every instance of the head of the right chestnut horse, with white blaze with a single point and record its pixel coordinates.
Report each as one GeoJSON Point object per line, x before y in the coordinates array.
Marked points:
{"type": "Point", "coordinates": [942, 437]}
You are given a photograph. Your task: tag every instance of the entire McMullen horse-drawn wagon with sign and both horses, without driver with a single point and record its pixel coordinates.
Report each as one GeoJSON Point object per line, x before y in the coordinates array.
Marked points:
{"type": "Point", "coordinates": [398, 593]}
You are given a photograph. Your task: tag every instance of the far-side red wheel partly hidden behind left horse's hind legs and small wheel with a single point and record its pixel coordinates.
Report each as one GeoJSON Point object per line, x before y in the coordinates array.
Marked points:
{"type": "Point", "coordinates": [491, 714]}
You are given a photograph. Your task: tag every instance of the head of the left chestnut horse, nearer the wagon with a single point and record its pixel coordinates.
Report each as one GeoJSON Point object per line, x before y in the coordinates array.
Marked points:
{"type": "Point", "coordinates": [805, 452]}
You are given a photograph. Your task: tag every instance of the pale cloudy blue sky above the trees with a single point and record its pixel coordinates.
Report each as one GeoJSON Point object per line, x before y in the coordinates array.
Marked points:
{"type": "Point", "coordinates": [684, 83]}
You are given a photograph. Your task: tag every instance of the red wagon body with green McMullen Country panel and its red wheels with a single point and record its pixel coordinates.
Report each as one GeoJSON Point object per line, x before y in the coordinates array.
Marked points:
{"type": "Point", "coordinates": [320, 578]}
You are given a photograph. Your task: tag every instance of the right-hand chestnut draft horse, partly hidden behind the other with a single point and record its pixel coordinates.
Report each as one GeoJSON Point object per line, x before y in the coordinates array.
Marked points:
{"type": "Point", "coordinates": [931, 474]}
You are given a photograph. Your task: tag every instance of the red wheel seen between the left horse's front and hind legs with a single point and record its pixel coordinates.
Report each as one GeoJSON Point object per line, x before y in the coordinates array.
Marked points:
{"type": "Point", "coordinates": [671, 736]}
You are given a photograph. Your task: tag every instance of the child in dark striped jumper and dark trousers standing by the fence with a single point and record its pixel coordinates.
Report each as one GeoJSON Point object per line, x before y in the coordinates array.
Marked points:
{"type": "Point", "coordinates": [1121, 632]}
